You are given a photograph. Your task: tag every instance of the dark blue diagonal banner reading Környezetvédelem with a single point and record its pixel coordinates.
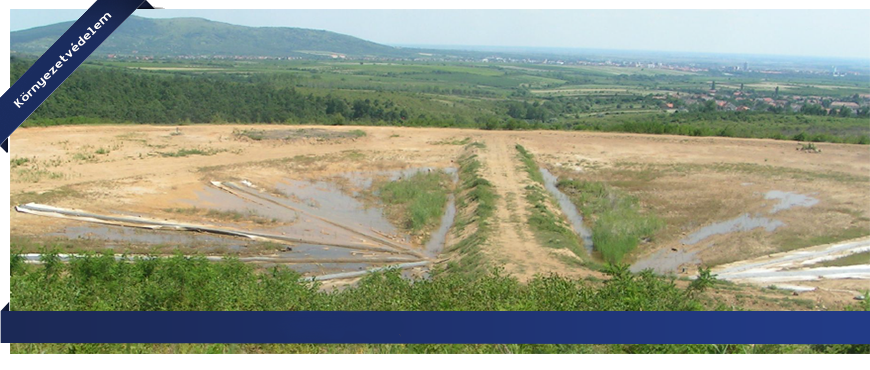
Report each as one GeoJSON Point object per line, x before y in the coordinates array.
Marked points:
{"type": "Point", "coordinates": [61, 60]}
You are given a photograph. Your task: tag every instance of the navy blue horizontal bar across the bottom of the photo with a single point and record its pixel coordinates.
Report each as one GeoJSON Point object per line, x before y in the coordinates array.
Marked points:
{"type": "Point", "coordinates": [437, 327]}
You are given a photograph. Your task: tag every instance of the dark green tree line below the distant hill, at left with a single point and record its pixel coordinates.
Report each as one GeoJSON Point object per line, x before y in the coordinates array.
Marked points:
{"type": "Point", "coordinates": [114, 95]}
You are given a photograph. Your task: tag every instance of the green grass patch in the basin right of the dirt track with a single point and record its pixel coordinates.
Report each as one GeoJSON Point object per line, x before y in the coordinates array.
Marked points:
{"type": "Point", "coordinates": [618, 223]}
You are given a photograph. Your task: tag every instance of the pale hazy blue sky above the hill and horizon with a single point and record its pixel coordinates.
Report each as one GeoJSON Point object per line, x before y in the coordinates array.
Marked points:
{"type": "Point", "coordinates": [821, 33]}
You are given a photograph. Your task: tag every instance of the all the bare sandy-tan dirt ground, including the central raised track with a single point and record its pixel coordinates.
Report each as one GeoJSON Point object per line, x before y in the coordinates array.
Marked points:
{"type": "Point", "coordinates": [691, 183]}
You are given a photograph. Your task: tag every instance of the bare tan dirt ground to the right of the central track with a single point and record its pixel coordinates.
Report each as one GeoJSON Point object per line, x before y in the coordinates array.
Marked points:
{"type": "Point", "coordinates": [697, 183]}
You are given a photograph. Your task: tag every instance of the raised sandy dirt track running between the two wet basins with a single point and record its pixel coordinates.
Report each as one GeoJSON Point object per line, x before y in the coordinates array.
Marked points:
{"type": "Point", "coordinates": [513, 243]}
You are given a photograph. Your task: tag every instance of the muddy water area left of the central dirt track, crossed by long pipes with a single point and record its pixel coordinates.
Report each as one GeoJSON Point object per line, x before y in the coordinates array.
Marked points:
{"type": "Point", "coordinates": [316, 210]}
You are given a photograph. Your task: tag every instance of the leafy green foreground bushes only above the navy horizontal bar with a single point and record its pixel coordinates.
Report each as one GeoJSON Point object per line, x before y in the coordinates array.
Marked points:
{"type": "Point", "coordinates": [178, 283]}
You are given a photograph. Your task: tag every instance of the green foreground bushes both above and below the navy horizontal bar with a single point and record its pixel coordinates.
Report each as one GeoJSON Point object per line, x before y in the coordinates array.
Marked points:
{"type": "Point", "coordinates": [97, 282]}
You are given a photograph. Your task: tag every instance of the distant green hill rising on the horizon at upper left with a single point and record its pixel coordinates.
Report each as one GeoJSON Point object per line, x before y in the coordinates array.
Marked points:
{"type": "Point", "coordinates": [197, 36]}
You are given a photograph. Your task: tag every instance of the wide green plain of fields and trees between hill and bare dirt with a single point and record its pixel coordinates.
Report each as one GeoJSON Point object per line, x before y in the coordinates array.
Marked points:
{"type": "Point", "coordinates": [492, 96]}
